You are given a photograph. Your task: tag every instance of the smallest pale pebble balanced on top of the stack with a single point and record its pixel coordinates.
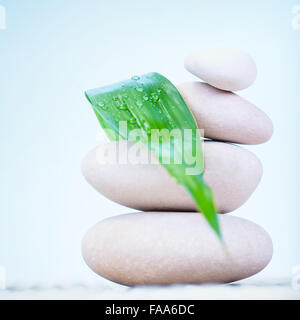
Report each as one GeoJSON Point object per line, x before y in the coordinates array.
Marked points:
{"type": "Point", "coordinates": [225, 69]}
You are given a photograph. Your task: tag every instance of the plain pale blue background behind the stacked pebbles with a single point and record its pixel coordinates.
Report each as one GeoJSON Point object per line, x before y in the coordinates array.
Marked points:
{"type": "Point", "coordinates": [53, 50]}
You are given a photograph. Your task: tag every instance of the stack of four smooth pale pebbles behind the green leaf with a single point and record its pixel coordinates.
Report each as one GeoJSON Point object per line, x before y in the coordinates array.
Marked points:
{"type": "Point", "coordinates": [170, 242]}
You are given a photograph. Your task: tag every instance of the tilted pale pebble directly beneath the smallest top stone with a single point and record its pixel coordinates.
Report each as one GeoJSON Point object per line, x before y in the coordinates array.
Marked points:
{"type": "Point", "coordinates": [226, 116]}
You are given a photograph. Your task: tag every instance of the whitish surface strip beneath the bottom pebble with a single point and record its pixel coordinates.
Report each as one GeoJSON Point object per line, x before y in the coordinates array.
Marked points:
{"type": "Point", "coordinates": [280, 289]}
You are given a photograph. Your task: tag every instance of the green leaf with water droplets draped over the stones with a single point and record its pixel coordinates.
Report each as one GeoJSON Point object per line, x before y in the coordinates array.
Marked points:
{"type": "Point", "coordinates": [150, 109]}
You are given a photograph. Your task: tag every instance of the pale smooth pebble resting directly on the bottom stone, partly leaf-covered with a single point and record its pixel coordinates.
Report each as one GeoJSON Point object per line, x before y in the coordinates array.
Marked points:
{"type": "Point", "coordinates": [232, 172]}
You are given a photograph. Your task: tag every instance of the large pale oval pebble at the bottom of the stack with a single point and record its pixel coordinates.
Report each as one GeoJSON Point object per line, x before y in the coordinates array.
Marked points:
{"type": "Point", "coordinates": [149, 248]}
